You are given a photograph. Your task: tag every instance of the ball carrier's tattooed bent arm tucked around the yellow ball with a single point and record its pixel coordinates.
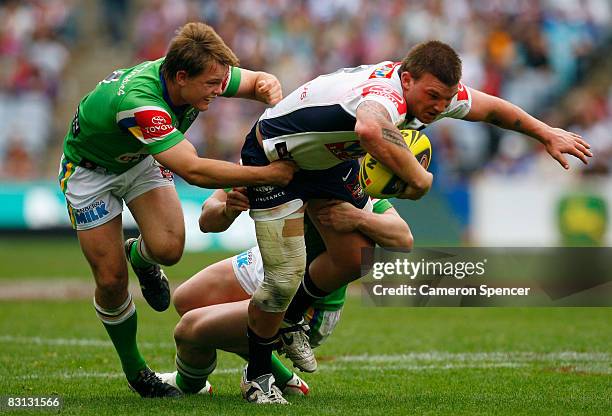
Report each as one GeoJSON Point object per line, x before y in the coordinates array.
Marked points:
{"type": "Point", "coordinates": [385, 143]}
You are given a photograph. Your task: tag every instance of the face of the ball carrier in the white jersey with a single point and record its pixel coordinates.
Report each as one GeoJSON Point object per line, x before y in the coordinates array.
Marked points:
{"type": "Point", "coordinates": [427, 96]}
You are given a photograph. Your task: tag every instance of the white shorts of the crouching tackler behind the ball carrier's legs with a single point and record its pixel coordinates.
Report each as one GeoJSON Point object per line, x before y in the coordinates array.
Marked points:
{"type": "Point", "coordinates": [248, 269]}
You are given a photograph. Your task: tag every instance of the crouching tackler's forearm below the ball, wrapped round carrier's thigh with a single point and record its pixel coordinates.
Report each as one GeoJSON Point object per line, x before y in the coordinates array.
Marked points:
{"type": "Point", "coordinates": [387, 229]}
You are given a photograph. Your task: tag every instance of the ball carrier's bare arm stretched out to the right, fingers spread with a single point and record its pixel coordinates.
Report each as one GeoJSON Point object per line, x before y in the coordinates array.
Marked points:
{"type": "Point", "coordinates": [504, 114]}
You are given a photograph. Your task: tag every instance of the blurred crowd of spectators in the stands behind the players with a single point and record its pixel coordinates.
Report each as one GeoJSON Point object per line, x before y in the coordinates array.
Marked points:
{"type": "Point", "coordinates": [545, 56]}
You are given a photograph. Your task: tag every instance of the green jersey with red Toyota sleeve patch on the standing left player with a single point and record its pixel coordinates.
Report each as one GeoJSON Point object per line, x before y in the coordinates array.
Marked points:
{"type": "Point", "coordinates": [129, 116]}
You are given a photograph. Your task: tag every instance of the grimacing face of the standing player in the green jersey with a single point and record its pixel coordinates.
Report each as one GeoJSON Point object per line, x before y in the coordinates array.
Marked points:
{"type": "Point", "coordinates": [200, 90]}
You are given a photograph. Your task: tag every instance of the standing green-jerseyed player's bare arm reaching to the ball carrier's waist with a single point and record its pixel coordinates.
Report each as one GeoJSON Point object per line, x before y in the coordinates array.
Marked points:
{"type": "Point", "coordinates": [183, 160]}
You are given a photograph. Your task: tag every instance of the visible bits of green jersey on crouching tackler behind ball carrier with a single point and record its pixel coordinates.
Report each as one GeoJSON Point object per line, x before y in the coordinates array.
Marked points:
{"type": "Point", "coordinates": [316, 246]}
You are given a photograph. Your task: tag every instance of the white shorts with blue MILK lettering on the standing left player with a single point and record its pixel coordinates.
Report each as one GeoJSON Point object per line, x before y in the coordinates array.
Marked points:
{"type": "Point", "coordinates": [94, 196]}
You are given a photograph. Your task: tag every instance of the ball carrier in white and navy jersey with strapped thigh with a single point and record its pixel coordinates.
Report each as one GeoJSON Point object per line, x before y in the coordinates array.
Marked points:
{"type": "Point", "coordinates": [325, 123]}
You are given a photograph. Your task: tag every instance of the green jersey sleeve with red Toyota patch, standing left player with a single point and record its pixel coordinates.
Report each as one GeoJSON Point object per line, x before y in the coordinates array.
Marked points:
{"type": "Point", "coordinates": [149, 122]}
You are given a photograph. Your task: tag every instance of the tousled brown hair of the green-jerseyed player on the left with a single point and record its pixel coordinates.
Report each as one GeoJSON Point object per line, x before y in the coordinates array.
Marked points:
{"type": "Point", "coordinates": [195, 48]}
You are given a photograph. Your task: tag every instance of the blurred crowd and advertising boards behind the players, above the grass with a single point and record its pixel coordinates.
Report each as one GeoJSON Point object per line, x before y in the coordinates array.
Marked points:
{"type": "Point", "coordinates": [491, 188]}
